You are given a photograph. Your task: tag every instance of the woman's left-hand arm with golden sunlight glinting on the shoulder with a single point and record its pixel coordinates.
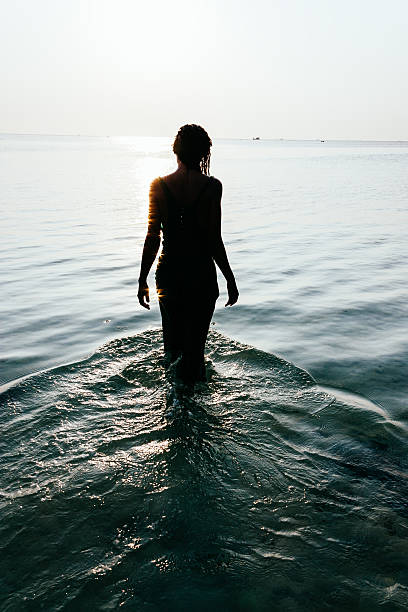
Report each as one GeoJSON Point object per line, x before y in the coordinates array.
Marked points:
{"type": "Point", "coordinates": [151, 245]}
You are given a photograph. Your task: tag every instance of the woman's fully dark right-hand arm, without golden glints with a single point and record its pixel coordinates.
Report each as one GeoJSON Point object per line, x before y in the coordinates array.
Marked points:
{"type": "Point", "coordinates": [217, 246]}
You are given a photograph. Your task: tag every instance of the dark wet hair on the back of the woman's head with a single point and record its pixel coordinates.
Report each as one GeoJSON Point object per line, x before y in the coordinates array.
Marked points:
{"type": "Point", "coordinates": [192, 146]}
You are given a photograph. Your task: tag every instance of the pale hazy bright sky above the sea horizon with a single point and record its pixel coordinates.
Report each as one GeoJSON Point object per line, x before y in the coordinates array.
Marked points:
{"type": "Point", "coordinates": [273, 68]}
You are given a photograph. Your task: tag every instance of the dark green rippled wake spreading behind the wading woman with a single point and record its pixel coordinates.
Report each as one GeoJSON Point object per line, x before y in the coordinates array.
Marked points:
{"type": "Point", "coordinates": [260, 491]}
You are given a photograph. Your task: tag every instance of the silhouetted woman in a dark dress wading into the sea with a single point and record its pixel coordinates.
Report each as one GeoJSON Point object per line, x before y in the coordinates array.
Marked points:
{"type": "Point", "coordinates": [186, 207]}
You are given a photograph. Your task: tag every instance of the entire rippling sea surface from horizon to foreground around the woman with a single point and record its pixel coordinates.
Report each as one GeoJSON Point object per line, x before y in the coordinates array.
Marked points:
{"type": "Point", "coordinates": [282, 483]}
